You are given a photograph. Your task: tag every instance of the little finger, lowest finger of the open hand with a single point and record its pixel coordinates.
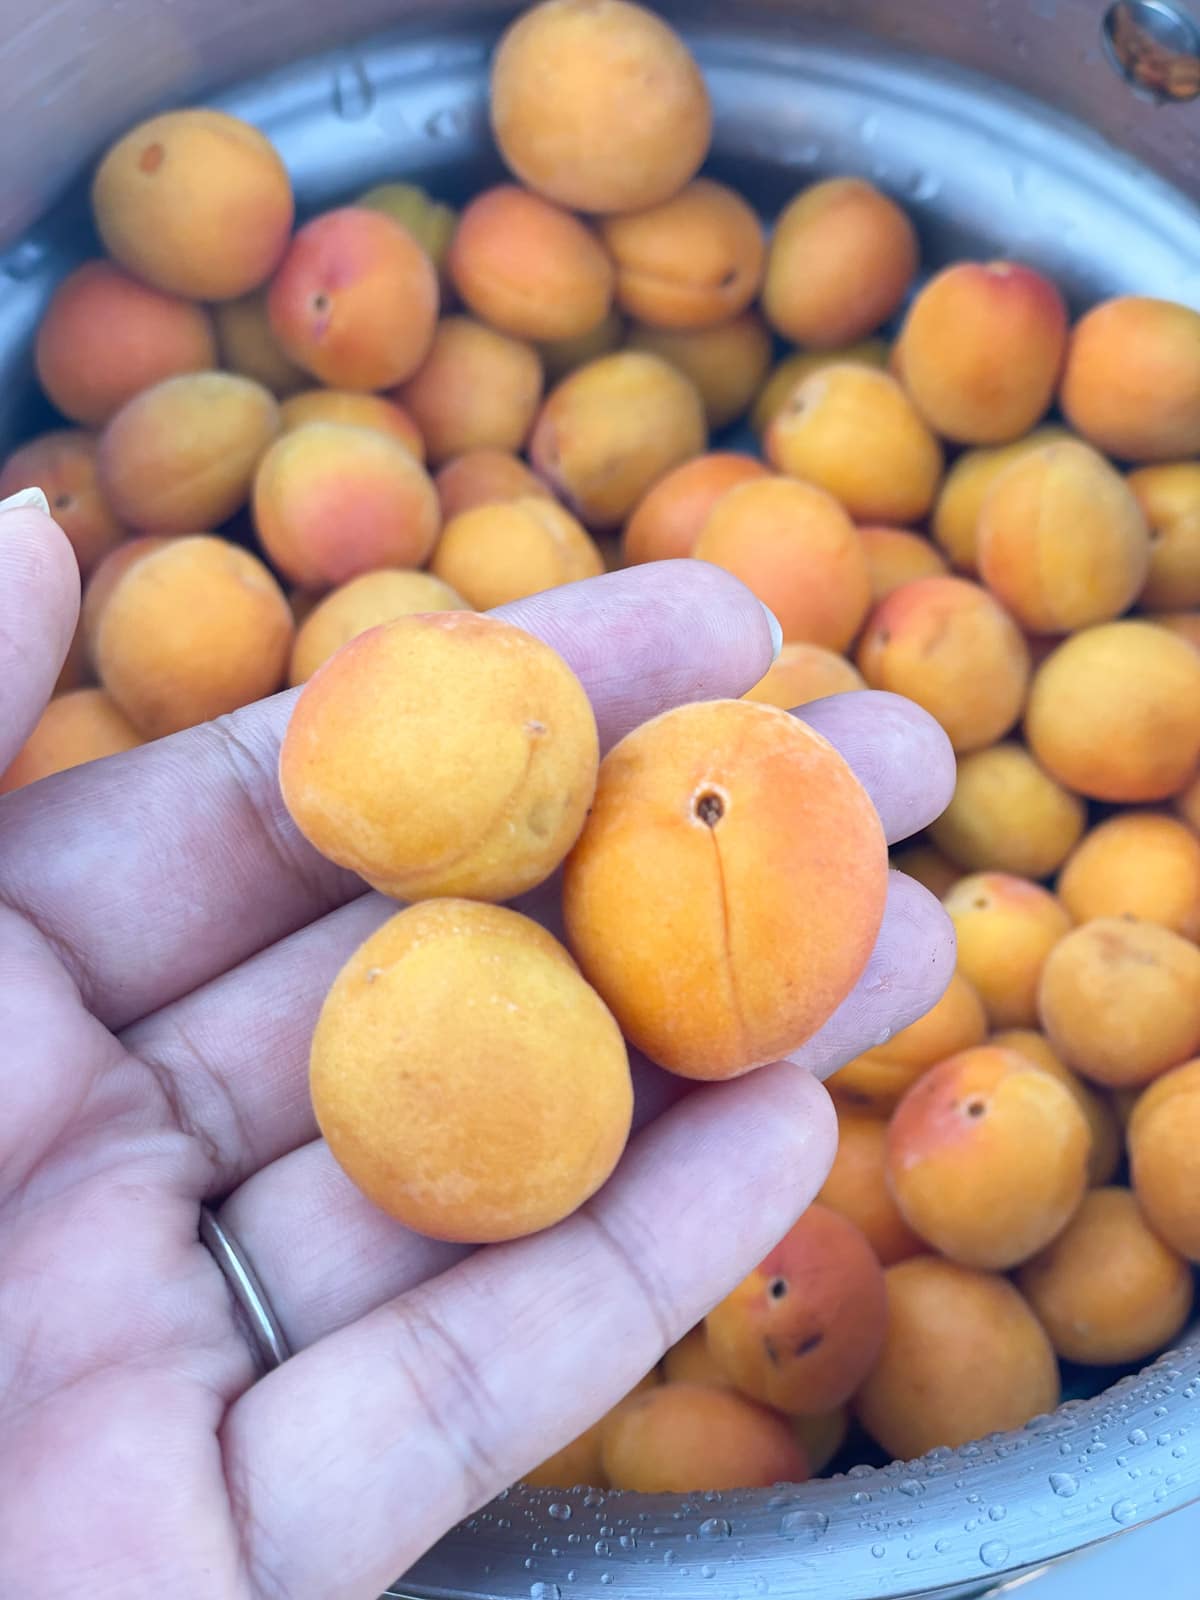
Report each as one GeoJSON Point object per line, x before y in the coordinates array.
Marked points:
{"type": "Point", "coordinates": [348, 1462]}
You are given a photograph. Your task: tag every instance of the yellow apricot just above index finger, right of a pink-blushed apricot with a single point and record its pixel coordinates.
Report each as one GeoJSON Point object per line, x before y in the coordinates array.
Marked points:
{"type": "Point", "coordinates": [502, 553]}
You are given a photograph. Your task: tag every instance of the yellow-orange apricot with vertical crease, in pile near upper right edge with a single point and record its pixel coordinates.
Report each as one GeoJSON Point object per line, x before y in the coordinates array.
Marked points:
{"type": "Point", "coordinates": [1062, 540]}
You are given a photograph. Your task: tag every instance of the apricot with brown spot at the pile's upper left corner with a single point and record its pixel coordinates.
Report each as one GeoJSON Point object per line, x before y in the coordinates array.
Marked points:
{"type": "Point", "coordinates": [194, 202]}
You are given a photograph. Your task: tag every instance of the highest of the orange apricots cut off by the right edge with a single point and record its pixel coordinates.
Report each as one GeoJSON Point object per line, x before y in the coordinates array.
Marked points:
{"type": "Point", "coordinates": [1132, 382]}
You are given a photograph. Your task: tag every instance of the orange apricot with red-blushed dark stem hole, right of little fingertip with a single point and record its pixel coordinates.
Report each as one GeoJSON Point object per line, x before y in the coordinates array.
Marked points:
{"type": "Point", "coordinates": [988, 1158]}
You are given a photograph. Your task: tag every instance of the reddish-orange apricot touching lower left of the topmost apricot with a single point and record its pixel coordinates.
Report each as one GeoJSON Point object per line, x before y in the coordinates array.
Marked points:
{"type": "Point", "coordinates": [529, 268]}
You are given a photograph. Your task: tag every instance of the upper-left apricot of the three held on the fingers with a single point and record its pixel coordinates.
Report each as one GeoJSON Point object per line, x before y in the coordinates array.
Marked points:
{"type": "Point", "coordinates": [447, 754]}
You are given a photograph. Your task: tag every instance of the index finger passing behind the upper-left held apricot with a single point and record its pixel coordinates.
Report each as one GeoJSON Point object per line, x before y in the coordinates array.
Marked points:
{"type": "Point", "coordinates": [159, 870]}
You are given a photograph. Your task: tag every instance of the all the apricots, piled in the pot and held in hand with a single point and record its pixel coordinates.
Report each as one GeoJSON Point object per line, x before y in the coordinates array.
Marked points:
{"type": "Point", "coordinates": [316, 455]}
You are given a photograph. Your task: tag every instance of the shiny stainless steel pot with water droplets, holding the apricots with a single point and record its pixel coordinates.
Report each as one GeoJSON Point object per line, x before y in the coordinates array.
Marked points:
{"type": "Point", "coordinates": [1062, 132]}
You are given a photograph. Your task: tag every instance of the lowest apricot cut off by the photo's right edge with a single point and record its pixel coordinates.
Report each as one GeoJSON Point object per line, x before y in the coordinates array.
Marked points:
{"type": "Point", "coordinates": [1164, 1138]}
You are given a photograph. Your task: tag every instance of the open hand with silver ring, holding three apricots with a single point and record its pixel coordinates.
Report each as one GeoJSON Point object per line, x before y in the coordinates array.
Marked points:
{"type": "Point", "coordinates": [166, 945]}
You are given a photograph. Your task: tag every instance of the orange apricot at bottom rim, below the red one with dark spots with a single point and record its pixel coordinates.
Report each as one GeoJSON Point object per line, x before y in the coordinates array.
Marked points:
{"type": "Point", "coordinates": [687, 1438]}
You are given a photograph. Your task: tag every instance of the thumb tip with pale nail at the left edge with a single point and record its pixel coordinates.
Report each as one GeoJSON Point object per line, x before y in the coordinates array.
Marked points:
{"type": "Point", "coordinates": [39, 607]}
